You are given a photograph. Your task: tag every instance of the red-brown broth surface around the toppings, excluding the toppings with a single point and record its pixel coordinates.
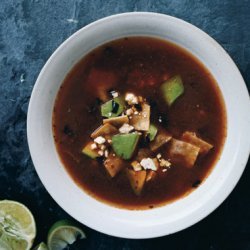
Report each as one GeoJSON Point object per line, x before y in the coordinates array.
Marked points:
{"type": "Point", "coordinates": [138, 65]}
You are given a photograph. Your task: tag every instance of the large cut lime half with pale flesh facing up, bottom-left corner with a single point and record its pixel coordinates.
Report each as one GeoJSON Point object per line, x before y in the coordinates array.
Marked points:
{"type": "Point", "coordinates": [17, 226]}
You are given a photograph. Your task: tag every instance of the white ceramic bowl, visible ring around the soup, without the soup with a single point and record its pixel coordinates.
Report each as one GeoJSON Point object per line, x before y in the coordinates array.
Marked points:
{"type": "Point", "coordinates": [163, 220]}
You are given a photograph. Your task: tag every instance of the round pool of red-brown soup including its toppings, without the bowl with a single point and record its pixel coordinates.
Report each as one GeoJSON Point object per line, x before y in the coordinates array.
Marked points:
{"type": "Point", "coordinates": [139, 122]}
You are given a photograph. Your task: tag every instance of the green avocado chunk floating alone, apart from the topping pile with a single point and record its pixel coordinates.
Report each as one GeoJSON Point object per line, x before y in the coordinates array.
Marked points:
{"type": "Point", "coordinates": [172, 89]}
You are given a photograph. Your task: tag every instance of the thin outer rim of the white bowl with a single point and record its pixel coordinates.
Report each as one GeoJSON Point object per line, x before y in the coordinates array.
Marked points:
{"type": "Point", "coordinates": [104, 228]}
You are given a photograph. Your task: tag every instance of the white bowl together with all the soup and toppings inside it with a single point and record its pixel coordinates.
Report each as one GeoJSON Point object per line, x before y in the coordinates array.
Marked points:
{"type": "Point", "coordinates": [135, 127]}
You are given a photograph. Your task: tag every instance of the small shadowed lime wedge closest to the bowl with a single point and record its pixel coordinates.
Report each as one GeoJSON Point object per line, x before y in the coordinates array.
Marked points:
{"type": "Point", "coordinates": [62, 234]}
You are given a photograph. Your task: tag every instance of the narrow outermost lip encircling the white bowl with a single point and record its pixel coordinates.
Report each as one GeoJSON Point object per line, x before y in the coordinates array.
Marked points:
{"type": "Point", "coordinates": [203, 214]}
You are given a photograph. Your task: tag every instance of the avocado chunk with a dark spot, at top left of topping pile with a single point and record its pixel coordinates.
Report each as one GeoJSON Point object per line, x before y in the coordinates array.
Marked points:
{"type": "Point", "coordinates": [113, 108]}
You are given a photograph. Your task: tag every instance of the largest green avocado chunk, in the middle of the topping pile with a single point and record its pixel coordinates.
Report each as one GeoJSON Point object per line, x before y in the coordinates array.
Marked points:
{"type": "Point", "coordinates": [124, 145]}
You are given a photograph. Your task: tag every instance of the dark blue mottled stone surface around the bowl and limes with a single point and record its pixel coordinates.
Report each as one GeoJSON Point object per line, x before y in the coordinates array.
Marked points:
{"type": "Point", "coordinates": [30, 30]}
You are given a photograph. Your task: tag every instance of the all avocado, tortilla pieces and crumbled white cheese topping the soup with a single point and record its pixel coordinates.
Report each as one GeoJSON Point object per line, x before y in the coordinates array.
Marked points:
{"type": "Point", "coordinates": [126, 122]}
